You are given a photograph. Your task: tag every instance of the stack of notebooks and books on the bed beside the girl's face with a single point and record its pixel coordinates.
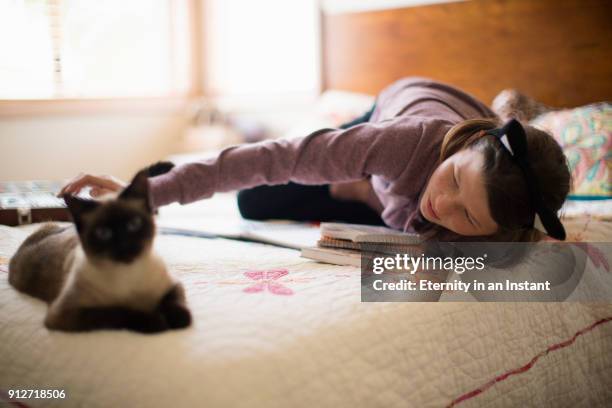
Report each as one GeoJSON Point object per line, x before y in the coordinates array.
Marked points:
{"type": "Point", "coordinates": [346, 244]}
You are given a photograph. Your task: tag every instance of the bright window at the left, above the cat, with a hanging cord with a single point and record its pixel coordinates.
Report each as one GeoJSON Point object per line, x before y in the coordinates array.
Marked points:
{"type": "Point", "coordinates": [56, 49]}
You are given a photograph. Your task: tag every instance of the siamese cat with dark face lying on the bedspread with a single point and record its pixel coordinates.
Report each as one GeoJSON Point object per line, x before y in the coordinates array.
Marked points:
{"type": "Point", "coordinates": [102, 273]}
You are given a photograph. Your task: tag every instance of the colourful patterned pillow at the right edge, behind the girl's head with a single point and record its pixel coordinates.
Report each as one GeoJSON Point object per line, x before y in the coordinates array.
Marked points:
{"type": "Point", "coordinates": [585, 134]}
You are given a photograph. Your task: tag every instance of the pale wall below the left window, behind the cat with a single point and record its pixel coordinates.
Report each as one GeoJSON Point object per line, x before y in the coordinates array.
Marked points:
{"type": "Point", "coordinates": [60, 146]}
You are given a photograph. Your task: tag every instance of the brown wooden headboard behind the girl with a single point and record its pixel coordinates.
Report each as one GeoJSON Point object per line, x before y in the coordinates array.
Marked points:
{"type": "Point", "coordinates": [557, 51]}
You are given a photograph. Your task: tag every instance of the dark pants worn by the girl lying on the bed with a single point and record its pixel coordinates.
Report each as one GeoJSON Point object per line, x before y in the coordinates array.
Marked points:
{"type": "Point", "coordinates": [305, 203]}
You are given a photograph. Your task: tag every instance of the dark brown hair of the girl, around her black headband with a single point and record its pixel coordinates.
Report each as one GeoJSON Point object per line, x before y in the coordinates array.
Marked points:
{"type": "Point", "coordinates": [509, 201]}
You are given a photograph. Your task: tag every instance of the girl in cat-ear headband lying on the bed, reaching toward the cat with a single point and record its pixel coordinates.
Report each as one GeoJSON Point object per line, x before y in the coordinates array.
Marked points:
{"type": "Point", "coordinates": [427, 158]}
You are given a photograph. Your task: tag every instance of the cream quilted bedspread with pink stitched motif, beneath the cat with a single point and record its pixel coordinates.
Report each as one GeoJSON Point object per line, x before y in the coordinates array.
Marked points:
{"type": "Point", "coordinates": [273, 329]}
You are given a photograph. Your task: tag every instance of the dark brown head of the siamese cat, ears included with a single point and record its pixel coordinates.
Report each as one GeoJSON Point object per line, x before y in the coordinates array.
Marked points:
{"type": "Point", "coordinates": [120, 229]}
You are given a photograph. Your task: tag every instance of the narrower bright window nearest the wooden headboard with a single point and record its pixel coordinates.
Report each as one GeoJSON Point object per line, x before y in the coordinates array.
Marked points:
{"type": "Point", "coordinates": [264, 47]}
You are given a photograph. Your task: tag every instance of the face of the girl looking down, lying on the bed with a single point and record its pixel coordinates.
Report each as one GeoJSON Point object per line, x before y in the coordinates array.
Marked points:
{"type": "Point", "coordinates": [456, 198]}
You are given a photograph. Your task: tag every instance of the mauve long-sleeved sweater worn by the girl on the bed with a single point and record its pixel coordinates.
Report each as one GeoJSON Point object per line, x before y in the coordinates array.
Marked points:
{"type": "Point", "coordinates": [399, 148]}
